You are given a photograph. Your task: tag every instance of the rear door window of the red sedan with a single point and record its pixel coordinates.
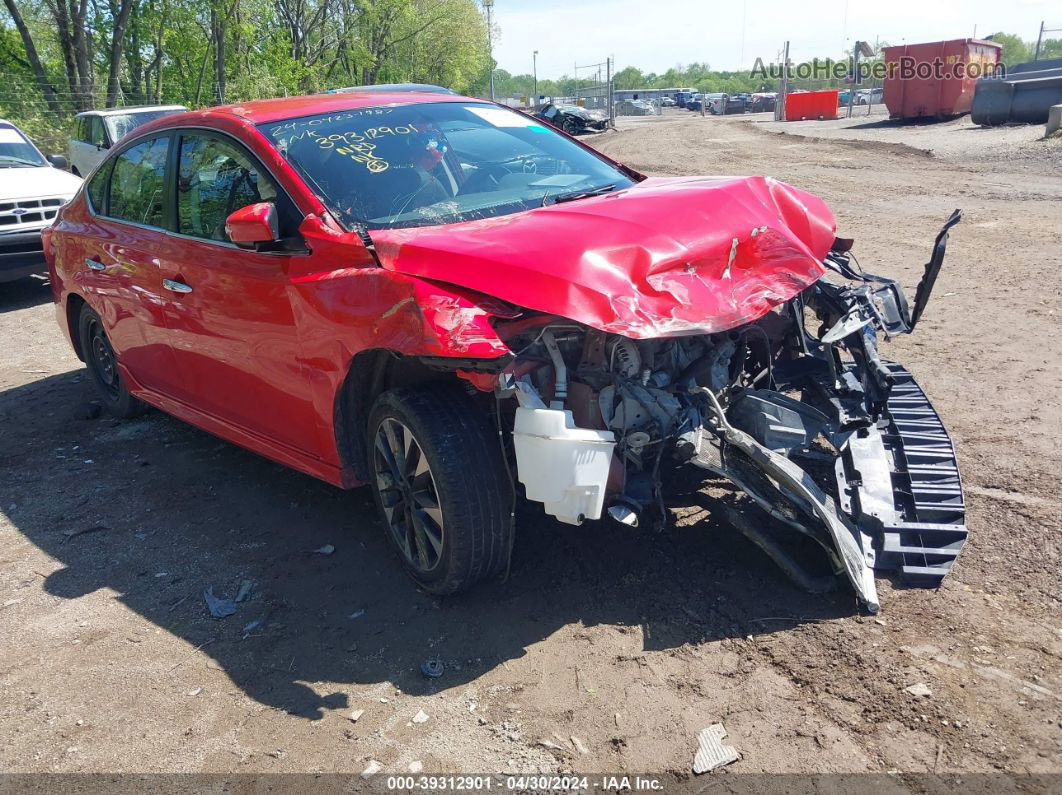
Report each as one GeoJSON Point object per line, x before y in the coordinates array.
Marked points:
{"type": "Point", "coordinates": [139, 183]}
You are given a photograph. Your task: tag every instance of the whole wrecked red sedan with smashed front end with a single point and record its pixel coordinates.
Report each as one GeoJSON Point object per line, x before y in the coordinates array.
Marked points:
{"type": "Point", "coordinates": [439, 297]}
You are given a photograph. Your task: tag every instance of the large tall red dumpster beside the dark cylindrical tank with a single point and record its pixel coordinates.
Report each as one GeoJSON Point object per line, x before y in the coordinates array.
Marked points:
{"type": "Point", "coordinates": [936, 79]}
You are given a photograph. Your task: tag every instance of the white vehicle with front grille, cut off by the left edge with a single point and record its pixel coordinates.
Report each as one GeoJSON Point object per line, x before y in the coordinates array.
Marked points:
{"type": "Point", "coordinates": [32, 191]}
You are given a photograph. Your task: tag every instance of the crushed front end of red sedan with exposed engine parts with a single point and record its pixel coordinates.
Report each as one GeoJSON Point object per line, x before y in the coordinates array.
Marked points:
{"type": "Point", "coordinates": [798, 409]}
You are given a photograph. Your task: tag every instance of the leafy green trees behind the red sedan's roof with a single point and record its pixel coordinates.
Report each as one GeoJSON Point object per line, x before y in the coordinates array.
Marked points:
{"type": "Point", "coordinates": [62, 57]}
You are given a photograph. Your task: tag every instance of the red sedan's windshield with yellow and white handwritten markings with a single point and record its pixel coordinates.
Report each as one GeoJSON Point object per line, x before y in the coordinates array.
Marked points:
{"type": "Point", "coordinates": [437, 164]}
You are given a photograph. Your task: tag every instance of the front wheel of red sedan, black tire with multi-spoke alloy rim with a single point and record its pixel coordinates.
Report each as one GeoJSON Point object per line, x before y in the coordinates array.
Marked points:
{"type": "Point", "coordinates": [441, 487]}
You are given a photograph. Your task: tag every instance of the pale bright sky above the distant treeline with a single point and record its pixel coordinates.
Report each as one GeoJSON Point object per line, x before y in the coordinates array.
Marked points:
{"type": "Point", "coordinates": [657, 34]}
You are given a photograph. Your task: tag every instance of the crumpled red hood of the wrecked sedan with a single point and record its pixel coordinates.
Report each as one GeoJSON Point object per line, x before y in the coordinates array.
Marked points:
{"type": "Point", "coordinates": [669, 256]}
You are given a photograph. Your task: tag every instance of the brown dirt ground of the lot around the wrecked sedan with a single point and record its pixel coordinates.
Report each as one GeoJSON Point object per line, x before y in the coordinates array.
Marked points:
{"type": "Point", "coordinates": [607, 650]}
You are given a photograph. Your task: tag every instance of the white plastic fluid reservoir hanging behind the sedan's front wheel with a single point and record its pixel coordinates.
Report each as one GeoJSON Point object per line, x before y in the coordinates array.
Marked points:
{"type": "Point", "coordinates": [562, 466]}
